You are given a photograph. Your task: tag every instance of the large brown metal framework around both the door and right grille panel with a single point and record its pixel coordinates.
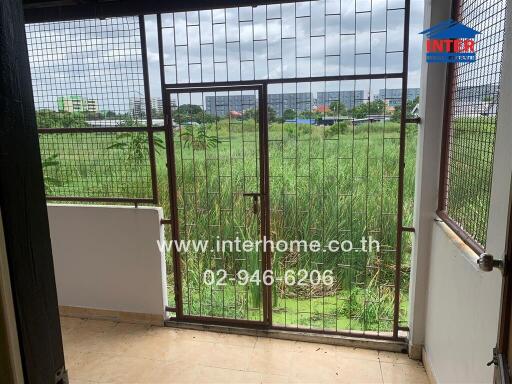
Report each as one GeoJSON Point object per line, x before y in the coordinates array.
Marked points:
{"type": "Point", "coordinates": [263, 83]}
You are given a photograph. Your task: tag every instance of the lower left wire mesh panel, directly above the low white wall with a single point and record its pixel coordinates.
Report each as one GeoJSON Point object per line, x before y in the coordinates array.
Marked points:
{"type": "Point", "coordinates": [96, 165]}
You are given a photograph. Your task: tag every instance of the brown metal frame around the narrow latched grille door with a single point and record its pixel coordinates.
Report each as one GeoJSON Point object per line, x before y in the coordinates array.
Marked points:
{"type": "Point", "coordinates": [263, 193]}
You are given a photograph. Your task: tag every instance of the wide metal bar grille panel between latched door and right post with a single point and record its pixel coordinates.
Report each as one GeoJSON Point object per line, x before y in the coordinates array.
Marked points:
{"type": "Point", "coordinates": [335, 177]}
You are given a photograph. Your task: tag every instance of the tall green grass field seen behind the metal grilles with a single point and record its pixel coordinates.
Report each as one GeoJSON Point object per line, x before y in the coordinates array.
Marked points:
{"type": "Point", "coordinates": [325, 184]}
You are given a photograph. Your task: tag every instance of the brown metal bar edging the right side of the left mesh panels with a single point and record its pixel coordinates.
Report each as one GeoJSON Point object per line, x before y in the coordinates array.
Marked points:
{"type": "Point", "coordinates": [149, 119]}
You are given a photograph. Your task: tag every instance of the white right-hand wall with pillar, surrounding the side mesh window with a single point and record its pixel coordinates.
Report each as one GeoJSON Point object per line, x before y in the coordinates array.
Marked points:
{"type": "Point", "coordinates": [455, 307]}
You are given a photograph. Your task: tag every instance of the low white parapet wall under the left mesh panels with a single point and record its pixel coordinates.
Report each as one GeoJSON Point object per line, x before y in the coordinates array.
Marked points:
{"type": "Point", "coordinates": [107, 260]}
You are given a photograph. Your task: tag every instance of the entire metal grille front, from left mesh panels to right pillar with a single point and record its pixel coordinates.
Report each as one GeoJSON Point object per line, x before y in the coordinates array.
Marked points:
{"type": "Point", "coordinates": [333, 174]}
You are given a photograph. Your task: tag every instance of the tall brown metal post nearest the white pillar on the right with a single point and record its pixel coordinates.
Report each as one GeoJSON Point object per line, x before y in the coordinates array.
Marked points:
{"type": "Point", "coordinates": [403, 116]}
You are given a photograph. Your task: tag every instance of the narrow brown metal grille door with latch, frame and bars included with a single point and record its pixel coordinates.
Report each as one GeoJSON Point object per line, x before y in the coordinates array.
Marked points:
{"type": "Point", "coordinates": [219, 201]}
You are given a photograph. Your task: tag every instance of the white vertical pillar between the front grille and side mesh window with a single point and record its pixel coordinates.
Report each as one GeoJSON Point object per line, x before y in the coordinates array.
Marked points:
{"type": "Point", "coordinates": [433, 77]}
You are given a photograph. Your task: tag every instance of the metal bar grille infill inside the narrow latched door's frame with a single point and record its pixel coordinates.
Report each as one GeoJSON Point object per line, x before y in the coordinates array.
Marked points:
{"type": "Point", "coordinates": [217, 160]}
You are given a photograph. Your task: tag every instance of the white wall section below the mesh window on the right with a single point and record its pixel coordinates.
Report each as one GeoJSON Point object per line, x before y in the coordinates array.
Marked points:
{"type": "Point", "coordinates": [462, 312]}
